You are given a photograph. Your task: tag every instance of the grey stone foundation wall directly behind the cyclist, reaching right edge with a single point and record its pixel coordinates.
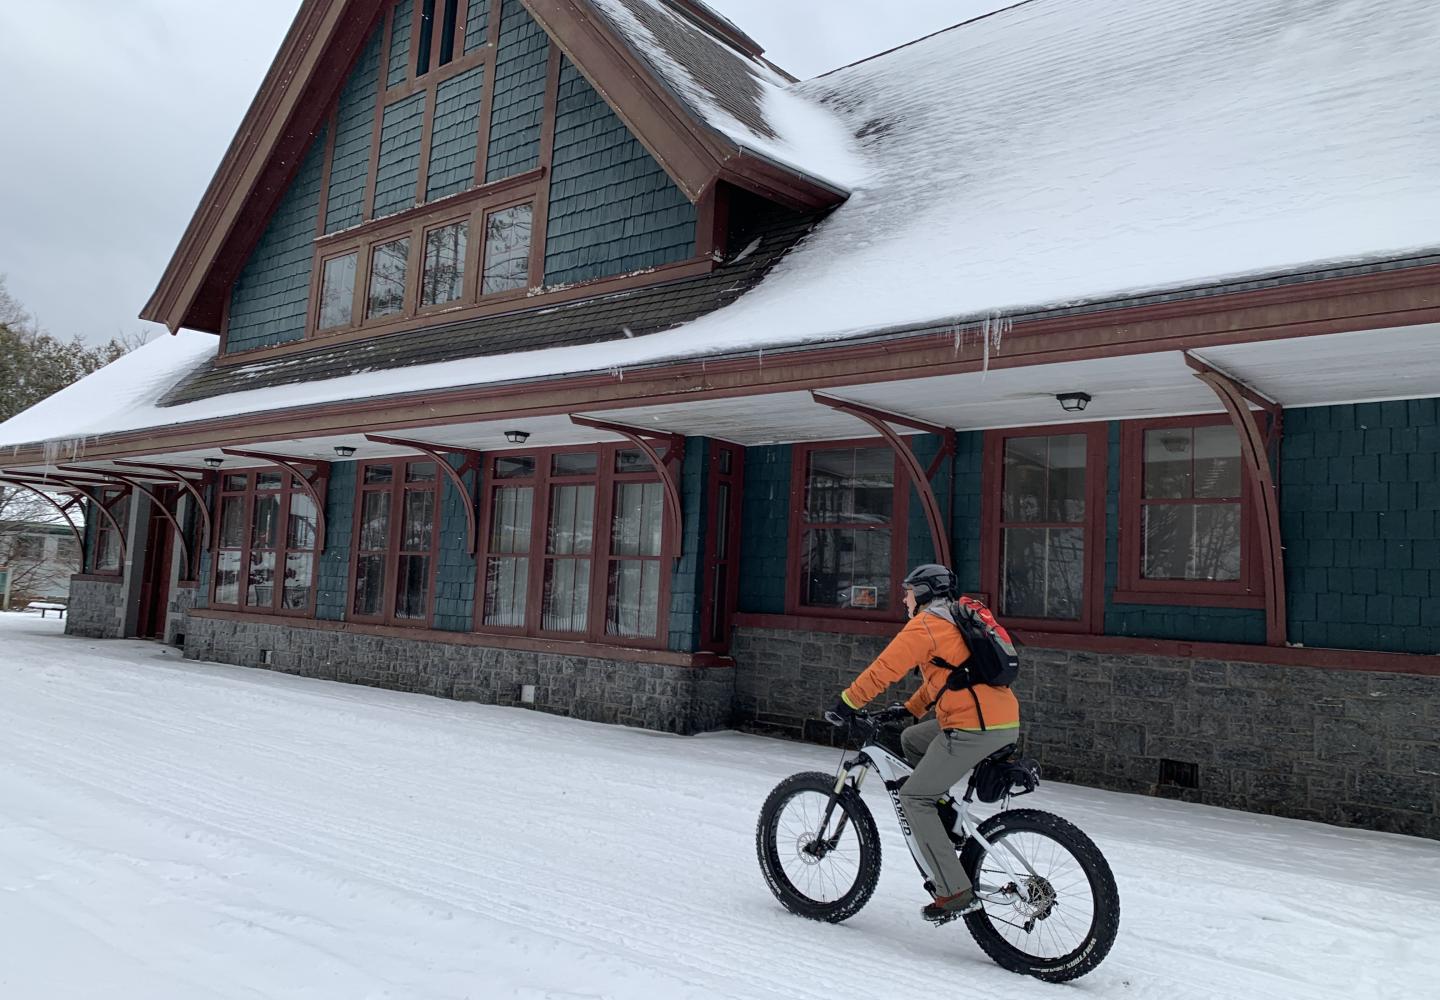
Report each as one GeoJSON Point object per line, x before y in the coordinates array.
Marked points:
{"type": "Point", "coordinates": [1344, 747]}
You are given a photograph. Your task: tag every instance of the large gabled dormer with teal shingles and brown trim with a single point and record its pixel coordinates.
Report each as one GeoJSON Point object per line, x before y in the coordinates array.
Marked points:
{"type": "Point", "coordinates": [413, 164]}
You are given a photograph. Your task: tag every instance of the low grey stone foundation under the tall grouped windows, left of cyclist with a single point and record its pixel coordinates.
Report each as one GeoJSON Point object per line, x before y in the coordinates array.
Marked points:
{"type": "Point", "coordinates": [653, 697]}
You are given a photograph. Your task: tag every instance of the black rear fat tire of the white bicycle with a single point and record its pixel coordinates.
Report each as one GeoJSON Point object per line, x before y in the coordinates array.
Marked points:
{"type": "Point", "coordinates": [1105, 924]}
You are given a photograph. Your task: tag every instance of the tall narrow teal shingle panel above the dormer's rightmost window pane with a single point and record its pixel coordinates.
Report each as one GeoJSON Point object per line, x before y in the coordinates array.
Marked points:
{"type": "Point", "coordinates": [519, 102]}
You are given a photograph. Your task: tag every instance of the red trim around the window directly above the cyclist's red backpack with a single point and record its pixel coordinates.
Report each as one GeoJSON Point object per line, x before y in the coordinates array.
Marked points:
{"type": "Point", "coordinates": [1098, 445]}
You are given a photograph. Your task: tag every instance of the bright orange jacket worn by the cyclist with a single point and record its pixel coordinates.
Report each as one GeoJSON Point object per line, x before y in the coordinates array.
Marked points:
{"type": "Point", "coordinates": [934, 635]}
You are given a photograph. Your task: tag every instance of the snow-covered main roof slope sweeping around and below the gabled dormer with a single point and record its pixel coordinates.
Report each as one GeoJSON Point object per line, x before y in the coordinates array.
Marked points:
{"type": "Point", "coordinates": [1052, 153]}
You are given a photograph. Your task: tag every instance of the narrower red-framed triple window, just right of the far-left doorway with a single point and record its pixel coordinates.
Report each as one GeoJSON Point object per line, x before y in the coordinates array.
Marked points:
{"type": "Point", "coordinates": [266, 545]}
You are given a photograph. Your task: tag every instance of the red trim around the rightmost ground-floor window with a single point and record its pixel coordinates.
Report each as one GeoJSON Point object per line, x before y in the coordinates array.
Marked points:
{"type": "Point", "coordinates": [1131, 586]}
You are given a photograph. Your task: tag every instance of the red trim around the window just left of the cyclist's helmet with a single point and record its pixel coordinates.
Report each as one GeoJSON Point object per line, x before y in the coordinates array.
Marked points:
{"type": "Point", "coordinates": [899, 537]}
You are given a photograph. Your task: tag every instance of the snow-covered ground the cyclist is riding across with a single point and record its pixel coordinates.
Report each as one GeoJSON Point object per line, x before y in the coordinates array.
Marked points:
{"type": "Point", "coordinates": [188, 831]}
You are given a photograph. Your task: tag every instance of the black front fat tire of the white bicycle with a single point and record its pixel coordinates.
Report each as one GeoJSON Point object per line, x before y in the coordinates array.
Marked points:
{"type": "Point", "coordinates": [768, 849]}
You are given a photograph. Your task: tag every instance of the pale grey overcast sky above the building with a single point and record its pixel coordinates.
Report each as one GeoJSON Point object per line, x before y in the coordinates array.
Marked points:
{"type": "Point", "coordinates": [116, 116]}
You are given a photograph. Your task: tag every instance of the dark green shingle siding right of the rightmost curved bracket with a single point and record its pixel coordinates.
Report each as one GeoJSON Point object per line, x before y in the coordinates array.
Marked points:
{"type": "Point", "coordinates": [1360, 514]}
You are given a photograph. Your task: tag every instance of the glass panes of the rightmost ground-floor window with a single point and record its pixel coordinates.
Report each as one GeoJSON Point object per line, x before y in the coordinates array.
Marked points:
{"type": "Point", "coordinates": [1192, 504]}
